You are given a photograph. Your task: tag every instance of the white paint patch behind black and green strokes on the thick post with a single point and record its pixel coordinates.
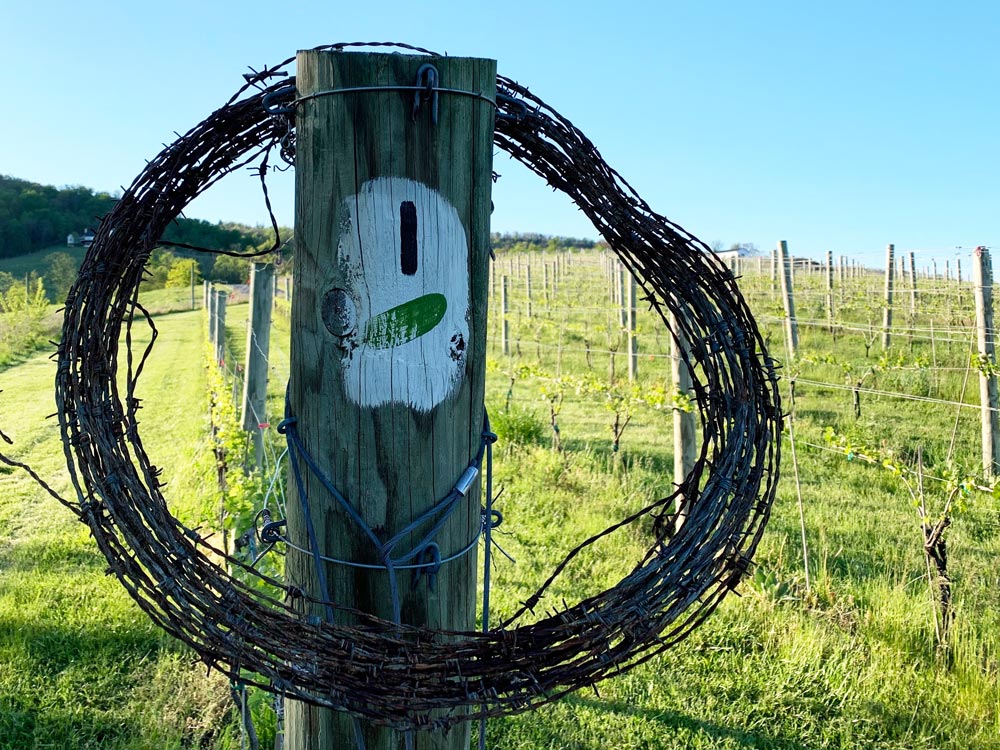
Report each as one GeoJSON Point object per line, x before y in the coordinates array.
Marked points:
{"type": "Point", "coordinates": [423, 371]}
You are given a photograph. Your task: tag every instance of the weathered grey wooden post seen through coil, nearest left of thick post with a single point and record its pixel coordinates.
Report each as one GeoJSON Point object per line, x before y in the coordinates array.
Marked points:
{"type": "Point", "coordinates": [257, 350]}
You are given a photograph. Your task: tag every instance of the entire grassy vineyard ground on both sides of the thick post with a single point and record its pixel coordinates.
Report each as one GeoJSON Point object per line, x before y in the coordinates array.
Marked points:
{"type": "Point", "coordinates": [849, 661]}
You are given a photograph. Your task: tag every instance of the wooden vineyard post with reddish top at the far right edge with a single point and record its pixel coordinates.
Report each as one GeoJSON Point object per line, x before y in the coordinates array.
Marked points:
{"type": "Point", "coordinates": [982, 281]}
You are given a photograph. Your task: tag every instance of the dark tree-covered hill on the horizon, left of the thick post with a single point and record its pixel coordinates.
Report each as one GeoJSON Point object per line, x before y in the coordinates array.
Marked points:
{"type": "Point", "coordinates": [34, 217]}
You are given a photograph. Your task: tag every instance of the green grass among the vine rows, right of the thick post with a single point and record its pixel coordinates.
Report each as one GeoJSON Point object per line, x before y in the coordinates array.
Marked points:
{"type": "Point", "coordinates": [851, 661]}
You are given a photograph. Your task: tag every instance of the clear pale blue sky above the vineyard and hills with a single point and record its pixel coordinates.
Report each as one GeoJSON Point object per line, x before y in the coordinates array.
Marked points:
{"type": "Point", "coordinates": [835, 126]}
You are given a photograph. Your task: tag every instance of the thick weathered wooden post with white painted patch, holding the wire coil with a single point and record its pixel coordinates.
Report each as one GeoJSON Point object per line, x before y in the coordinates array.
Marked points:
{"type": "Point", "coordinates": [388, 342]}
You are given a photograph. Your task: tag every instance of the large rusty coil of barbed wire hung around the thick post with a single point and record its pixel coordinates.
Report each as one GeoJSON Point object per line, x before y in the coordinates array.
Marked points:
{"type": "Point", "coordinates": [397, 675]}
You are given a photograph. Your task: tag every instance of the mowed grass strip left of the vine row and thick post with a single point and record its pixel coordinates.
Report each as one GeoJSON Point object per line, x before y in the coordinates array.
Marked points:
{"type": "Point", "coordinates": [80, 665]}
